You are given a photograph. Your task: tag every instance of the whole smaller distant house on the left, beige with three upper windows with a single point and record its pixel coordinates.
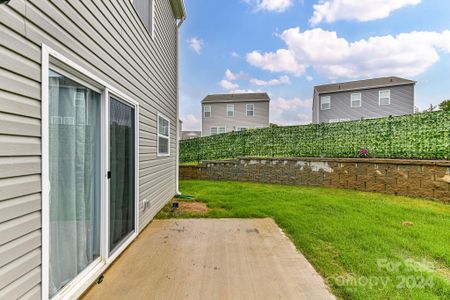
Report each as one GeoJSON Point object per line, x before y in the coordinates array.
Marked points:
{"type": "Point", "coordinates": [234, 112]}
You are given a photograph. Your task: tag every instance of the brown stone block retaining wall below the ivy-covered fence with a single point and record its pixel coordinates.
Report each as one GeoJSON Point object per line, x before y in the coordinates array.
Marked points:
{"type": "Point", "coordinates": [417, 178]}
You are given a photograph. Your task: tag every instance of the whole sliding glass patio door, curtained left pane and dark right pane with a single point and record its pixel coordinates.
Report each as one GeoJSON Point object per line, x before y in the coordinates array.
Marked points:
{"type": "Point", "coordinates": [90, 209]}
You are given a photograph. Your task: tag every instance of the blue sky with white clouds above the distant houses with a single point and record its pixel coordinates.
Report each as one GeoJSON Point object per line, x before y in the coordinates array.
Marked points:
{"type": "Point", "coordinates": [285, 47]}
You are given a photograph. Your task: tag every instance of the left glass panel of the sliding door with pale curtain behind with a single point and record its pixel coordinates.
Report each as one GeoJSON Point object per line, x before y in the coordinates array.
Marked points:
{"type": "Point", "coordinates": [74, 154]}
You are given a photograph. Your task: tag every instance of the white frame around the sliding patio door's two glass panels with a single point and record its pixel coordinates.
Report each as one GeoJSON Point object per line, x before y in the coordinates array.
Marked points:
{"type": "Point", "coordinates": [52, 59]}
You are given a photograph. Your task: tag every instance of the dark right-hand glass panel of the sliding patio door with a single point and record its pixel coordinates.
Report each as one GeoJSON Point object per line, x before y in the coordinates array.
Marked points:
{"type": "Point", "coordinates": [122, 167]}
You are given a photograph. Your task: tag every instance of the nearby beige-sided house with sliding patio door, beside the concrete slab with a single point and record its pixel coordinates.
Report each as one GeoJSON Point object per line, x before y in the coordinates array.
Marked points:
{"type": "Point", "coordinates": [88, 136]}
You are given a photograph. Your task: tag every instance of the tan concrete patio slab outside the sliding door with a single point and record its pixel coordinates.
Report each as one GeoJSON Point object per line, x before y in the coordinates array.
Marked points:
{"type": "Point", "coordinates": [211, 259]}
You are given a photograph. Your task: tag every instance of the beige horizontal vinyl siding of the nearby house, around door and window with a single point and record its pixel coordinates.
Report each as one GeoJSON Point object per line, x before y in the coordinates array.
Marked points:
{"type": "Point", "coordinates": [108, 39]}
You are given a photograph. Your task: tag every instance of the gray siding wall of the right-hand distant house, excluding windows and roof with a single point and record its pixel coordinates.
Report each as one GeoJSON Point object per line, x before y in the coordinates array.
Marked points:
{"type": "Point", "coordinates": [402, 103]}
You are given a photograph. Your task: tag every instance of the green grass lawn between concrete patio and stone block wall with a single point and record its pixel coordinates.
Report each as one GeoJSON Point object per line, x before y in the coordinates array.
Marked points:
{"type": "Point", "coordinates": [356, 240]}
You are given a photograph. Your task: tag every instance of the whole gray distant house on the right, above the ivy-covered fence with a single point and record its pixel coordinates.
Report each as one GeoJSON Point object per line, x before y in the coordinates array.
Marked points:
{"type": "Point", "coordinates": [368, 99]}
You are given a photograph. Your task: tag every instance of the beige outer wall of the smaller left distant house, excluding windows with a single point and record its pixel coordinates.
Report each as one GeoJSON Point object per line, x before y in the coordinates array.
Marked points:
{"type": "Point", "coordinates": [219, 116]}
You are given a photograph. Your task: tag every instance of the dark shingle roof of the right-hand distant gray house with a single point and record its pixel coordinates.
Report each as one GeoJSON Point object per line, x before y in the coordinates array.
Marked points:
{"type": "Point", "coordinates": [362, 84]}
